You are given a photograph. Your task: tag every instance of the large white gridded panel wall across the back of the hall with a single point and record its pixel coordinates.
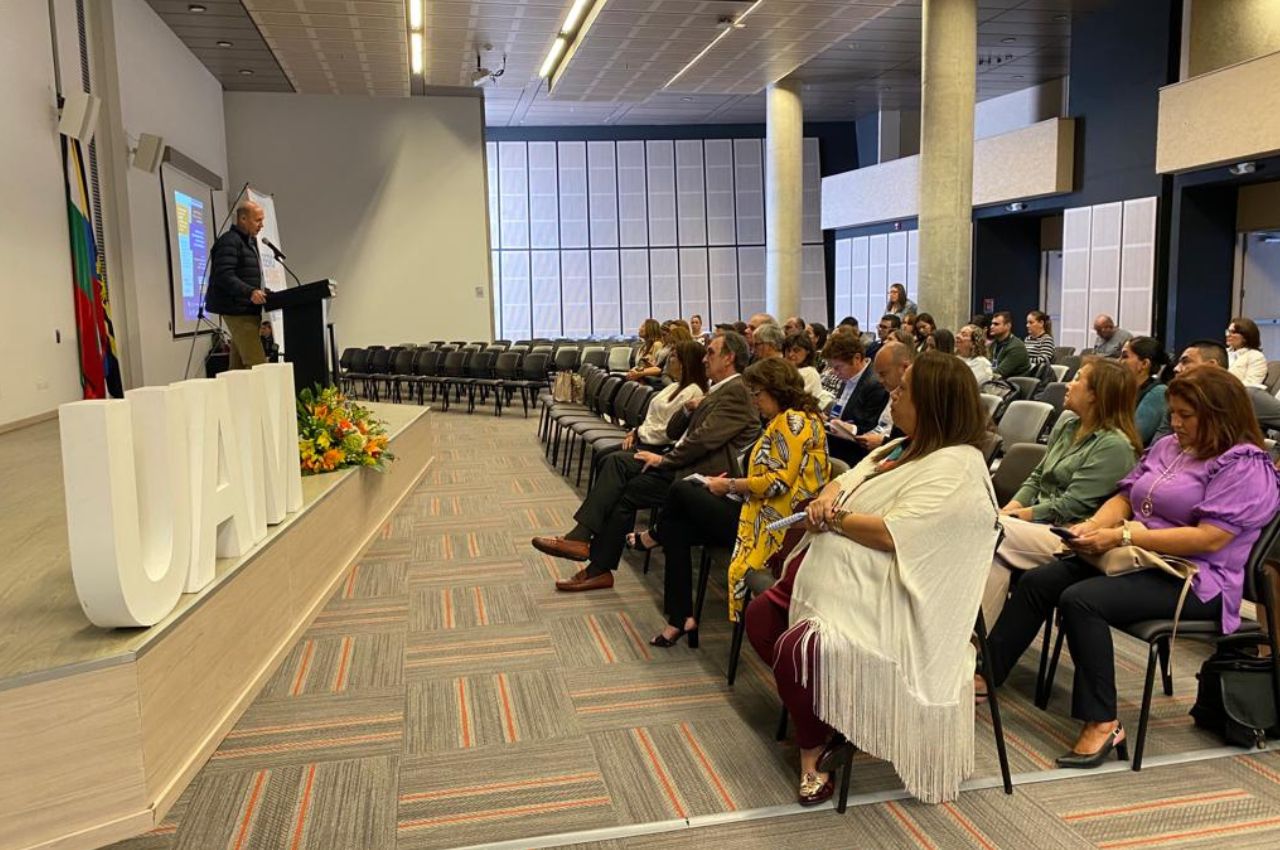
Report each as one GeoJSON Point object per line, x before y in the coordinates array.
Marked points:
{"type": "Point", "coordinates": [592, 239]}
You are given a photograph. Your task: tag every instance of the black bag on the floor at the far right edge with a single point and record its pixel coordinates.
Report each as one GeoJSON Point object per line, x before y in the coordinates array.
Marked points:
{"type": "Point", "coordinates": [1237, 694]}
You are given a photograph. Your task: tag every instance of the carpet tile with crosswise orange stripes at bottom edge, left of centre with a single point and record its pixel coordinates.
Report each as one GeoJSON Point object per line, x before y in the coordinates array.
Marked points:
{"type": "Point", "coordinates": [501, 793]}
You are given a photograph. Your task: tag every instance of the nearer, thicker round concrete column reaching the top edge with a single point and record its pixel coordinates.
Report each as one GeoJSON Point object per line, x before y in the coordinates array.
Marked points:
{"type": "Point", "coordinates": [948, 89]}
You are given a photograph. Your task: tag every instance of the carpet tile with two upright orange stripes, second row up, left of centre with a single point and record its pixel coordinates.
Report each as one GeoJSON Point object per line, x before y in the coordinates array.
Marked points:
{"type": "Point", "coordinates": [486, 710]}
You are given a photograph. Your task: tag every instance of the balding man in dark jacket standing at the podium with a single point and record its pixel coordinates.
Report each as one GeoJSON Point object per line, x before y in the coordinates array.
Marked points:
{"type": "Point", "coordinates": [236, 285]}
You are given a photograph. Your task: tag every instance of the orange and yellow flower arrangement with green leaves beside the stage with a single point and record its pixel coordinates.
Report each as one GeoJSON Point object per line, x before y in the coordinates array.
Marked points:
{"type": "Point", "coordinates": [336, 433]}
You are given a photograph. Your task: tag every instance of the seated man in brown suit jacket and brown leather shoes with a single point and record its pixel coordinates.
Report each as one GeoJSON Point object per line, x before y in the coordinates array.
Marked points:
{"type": "Point", "coordinates": [712, 438]}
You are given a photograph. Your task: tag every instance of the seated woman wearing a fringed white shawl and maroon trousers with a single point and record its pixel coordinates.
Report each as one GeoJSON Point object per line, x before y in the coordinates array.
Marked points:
{"type": "Point", "coordinates": [868, 630]}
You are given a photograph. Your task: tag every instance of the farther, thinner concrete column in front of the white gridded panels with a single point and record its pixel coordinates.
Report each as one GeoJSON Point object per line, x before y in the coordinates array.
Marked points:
{"type": "Point", "coordinates": [784, 199]}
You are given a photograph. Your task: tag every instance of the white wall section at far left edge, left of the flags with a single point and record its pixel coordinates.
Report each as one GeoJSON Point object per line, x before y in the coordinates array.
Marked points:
{"type": "Point", "coordinates": [36, 290]}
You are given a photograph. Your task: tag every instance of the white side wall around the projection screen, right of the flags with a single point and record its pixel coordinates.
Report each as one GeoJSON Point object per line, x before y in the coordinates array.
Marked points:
{"type": "Point", "coordinates": [162, 89]}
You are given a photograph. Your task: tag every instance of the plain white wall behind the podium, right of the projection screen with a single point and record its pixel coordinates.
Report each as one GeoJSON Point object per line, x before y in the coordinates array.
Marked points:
{"type": "Point", "coordinates": [385, 196]}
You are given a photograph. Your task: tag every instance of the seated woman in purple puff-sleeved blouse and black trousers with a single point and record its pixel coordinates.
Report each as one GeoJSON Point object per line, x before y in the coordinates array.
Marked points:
{"type": "Point", "coordinates": [1203, 493]}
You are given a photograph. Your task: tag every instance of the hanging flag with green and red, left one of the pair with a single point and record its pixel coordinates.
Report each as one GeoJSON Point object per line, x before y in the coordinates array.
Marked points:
{"type": "Point", "coordinates": [99, 362]}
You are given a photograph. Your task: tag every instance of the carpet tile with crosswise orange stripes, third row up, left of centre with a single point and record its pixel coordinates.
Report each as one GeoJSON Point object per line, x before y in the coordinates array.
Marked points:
{"type": "Point", "coordinates": [476, 651]}
